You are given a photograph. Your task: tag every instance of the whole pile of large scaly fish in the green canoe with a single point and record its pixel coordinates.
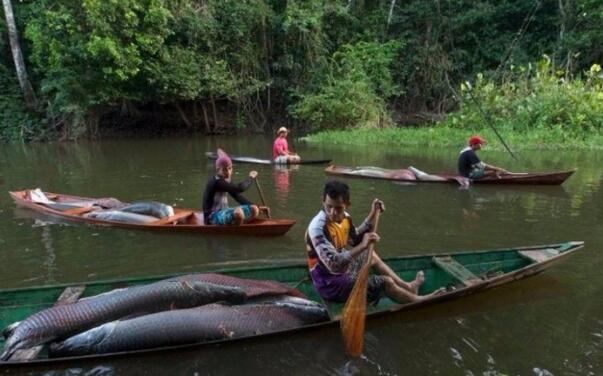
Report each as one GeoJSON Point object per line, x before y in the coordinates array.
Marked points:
{"type": "Point", "coordinates": [176, 311]}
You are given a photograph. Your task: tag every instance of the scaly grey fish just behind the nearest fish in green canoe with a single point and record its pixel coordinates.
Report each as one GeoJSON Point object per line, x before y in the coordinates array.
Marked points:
{"type": "Point", "coordinates": [66, 320]}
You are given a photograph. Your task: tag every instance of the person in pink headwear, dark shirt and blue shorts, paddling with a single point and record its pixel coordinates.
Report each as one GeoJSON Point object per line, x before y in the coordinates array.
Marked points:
{"type": "Point", "coordinates": [215, 201]}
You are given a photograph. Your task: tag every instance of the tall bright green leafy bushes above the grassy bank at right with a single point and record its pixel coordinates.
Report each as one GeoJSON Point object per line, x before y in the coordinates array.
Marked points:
{"type": "Point", "coordinates": [538, 98]}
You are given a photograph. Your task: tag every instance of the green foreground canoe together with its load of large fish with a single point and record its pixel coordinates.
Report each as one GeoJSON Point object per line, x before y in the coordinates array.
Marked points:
{"type": "Point", "coordinates": [270, 293]}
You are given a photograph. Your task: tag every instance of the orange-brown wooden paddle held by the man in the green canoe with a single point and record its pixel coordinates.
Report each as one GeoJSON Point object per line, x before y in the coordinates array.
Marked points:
{"type": "Point", "coordinates": [354, 311]}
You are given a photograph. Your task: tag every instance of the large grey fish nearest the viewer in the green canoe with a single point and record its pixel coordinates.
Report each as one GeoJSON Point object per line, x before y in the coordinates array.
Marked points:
{"type": "Point", "coordinates": [179, 327]}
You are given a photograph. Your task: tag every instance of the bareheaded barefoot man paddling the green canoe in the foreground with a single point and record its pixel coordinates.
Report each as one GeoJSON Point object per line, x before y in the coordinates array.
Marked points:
{"type": "Point", "coordinates": [336, 253]}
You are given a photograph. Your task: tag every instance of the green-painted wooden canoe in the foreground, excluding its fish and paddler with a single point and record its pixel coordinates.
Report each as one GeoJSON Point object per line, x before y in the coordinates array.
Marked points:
{"type": "Point", "coordinates": [461, 273]}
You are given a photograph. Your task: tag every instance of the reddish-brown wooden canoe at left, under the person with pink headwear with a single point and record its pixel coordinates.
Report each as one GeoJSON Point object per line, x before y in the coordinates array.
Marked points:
{"type": "Point", "coordinates": [183, 220]}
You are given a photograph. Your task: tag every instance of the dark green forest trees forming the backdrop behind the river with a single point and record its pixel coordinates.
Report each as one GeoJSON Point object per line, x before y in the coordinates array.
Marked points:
{"type": "Point", "coordinates": [321, 64]}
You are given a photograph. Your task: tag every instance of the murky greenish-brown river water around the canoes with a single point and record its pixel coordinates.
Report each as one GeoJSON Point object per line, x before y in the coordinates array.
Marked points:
{"type": "Point", "coordinates": [551, 324]}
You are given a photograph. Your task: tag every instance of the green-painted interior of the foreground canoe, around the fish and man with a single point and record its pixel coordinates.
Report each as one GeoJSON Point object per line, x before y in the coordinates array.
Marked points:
{"type": "Point", "coordinates": [502, 265]}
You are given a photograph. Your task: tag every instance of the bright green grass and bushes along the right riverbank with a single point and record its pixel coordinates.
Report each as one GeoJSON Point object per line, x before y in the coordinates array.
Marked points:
{"type": "Point", "coordinates": [535, 107]}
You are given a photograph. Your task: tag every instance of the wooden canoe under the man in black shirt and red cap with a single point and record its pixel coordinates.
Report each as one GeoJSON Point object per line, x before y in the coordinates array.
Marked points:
{"type": "Point", "coordinates": [528, 178]}
